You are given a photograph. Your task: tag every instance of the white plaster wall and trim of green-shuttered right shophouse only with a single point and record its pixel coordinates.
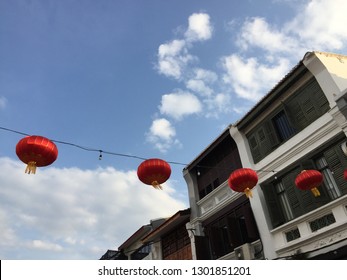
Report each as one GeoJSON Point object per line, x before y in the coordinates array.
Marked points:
{"type": "Point", "coordinates": [331, 74]}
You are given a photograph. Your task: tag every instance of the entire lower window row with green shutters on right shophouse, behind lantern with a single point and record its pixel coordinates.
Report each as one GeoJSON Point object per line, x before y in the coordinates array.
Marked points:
{"type": "Point", "coordinates": [286, 202]}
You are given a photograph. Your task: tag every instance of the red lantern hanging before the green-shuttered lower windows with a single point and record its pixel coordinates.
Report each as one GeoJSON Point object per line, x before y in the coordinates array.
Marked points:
{"type": "Point", "coordinates": [309, 180]}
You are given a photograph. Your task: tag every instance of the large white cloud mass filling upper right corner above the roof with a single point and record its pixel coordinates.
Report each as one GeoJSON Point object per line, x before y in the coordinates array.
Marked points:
{"type": "Point", "coordinates": [252, 77]}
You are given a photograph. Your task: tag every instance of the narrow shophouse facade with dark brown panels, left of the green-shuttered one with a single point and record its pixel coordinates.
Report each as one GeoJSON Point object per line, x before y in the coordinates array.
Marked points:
{"type": "Point", "coordinates": [222, 224]}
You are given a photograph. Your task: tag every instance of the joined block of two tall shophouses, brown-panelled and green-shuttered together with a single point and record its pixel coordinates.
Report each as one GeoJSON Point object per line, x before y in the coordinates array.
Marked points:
{"type": "Point", "coordinates": [299, 125]}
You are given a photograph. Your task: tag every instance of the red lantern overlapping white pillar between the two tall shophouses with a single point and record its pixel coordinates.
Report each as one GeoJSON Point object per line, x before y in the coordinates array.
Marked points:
{"type": "Point", "coordinates": [243, 180]}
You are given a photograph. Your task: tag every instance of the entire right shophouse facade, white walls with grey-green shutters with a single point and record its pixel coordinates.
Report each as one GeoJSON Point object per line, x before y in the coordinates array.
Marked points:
{"type": "Point", "coordinates": [300, 125]}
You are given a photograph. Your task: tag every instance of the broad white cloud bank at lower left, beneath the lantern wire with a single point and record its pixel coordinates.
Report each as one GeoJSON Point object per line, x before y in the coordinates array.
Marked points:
{"type": "Point", "coordinates": [73, 213]}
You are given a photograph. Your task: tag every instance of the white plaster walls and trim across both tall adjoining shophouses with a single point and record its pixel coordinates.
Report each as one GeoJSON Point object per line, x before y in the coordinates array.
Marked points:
{"type": "Point", "coordinates": [331, 73]}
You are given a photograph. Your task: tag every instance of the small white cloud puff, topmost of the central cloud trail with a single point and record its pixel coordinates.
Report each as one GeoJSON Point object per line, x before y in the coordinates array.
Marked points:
{"type": "Point", "coordinates": [199, 28]}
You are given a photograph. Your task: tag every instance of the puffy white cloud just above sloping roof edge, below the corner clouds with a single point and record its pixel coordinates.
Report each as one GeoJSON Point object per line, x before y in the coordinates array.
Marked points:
{"type": "Point", "coordinates": [250, 78]}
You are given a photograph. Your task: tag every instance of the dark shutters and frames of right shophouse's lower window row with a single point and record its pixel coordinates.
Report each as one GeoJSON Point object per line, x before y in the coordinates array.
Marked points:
{"type": "Point", "coordinates": [303, 202]}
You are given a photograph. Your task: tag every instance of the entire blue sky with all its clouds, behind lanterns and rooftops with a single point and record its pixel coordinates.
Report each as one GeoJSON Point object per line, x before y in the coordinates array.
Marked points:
{"type": "Point", "coordinates": [143, 78]}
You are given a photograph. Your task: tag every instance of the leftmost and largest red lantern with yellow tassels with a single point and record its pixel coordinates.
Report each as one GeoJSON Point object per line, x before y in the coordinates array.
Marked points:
{"type": "Point", "coordinates": [36, 151]}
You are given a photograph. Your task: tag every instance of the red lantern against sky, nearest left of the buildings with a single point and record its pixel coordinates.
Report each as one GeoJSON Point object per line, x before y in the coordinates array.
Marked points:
{"type": "Point", "coordinates": [154, 172]}
